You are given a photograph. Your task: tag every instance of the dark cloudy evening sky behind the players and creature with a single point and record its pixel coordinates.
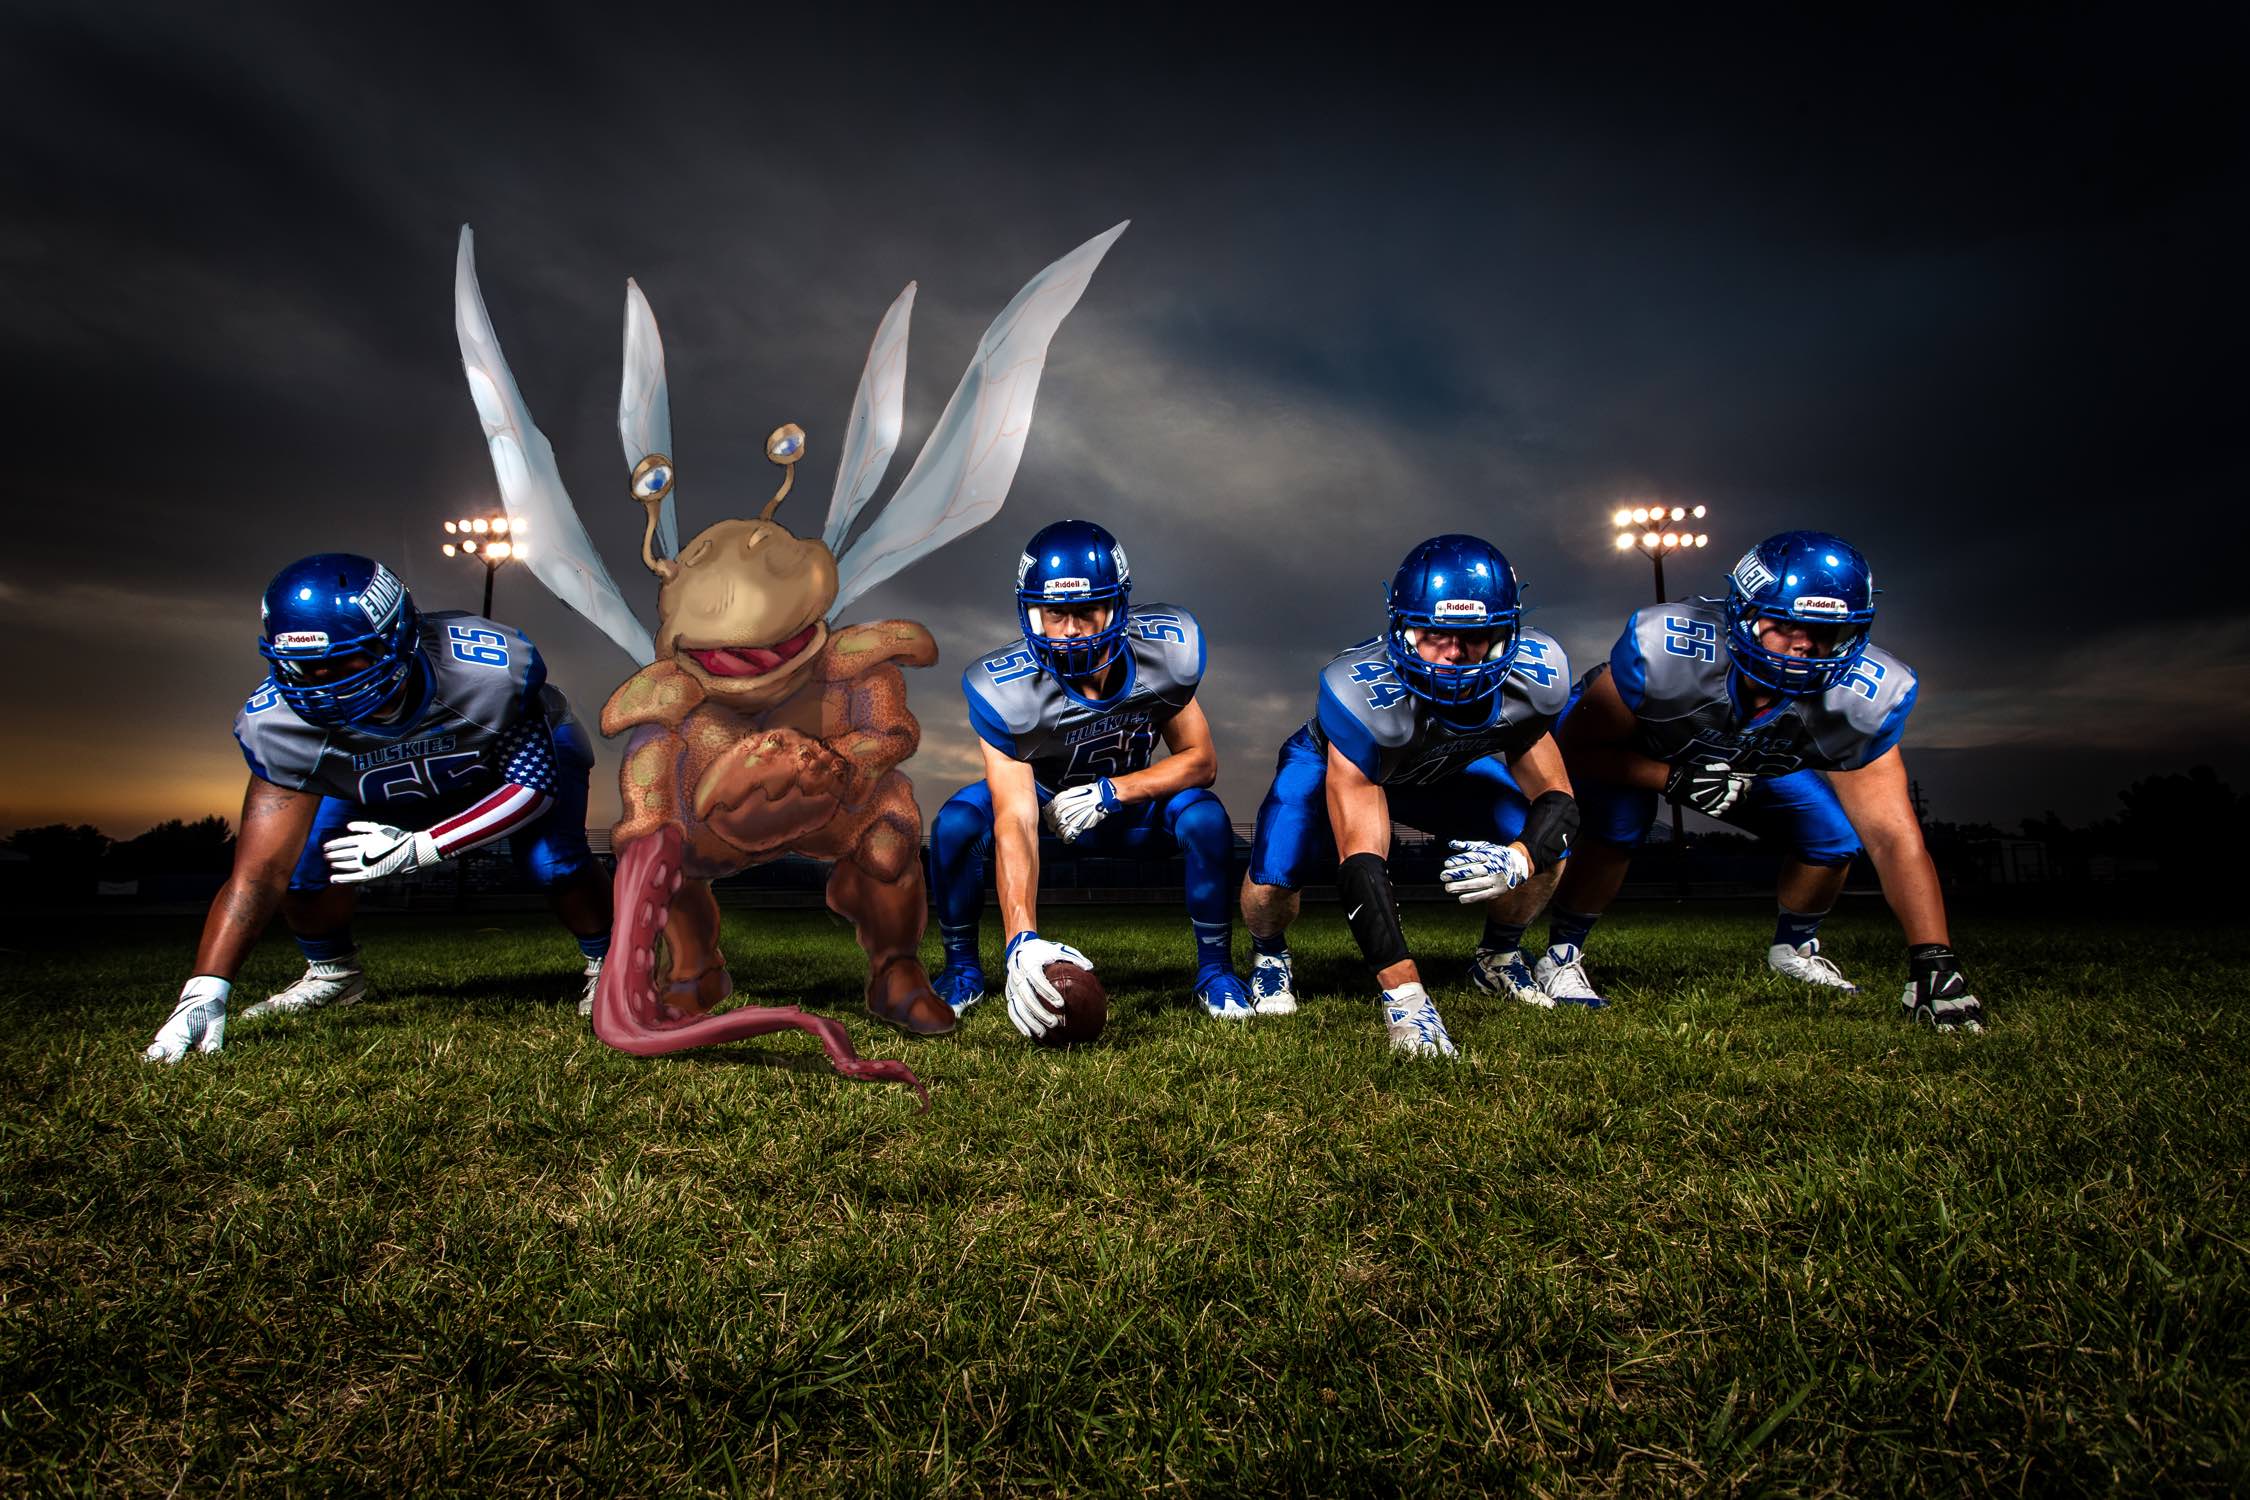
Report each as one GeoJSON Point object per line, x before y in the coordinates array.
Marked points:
{"type": "Point", "coordinates": [1970, 293]}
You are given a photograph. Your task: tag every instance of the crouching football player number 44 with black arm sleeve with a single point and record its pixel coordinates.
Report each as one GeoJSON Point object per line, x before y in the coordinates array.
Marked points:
{"type": "Point", "coordinates": [1441, 723]}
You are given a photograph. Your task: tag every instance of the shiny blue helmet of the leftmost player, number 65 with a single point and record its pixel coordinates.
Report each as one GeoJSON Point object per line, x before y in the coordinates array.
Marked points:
{"type": "Point", "coordinates": [339, 638]}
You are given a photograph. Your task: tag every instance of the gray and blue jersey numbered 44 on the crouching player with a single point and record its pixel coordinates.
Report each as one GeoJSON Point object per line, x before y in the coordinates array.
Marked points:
{"type": "Point", "coordinates": [1398, 739]}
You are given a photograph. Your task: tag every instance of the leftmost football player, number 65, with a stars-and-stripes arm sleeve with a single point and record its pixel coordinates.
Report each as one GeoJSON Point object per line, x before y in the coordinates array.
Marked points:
{"type": "Point", "coordinates": [386, 741]}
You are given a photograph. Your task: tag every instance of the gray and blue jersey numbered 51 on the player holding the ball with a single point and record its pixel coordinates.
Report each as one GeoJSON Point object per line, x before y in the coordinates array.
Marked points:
{"type": "Point", "coordinates": [1029, 714]}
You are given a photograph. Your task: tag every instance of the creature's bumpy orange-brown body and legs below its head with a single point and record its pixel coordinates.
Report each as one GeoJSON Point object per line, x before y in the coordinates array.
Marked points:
{"type": "Point", "coordinates": [717, 790]}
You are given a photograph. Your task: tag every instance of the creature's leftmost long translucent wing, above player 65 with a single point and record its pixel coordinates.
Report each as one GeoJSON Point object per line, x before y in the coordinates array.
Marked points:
{"type": "Point", "coordinates": [557, 552]}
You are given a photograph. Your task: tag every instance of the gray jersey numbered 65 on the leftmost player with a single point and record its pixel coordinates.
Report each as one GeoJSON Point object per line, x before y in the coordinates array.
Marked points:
{"type": "Point", "coordinates": [485, 716]}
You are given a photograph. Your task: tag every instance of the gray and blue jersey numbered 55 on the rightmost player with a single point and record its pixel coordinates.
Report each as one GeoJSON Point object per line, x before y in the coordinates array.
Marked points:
{"type": "Point", "coordinates": [1673, 669]}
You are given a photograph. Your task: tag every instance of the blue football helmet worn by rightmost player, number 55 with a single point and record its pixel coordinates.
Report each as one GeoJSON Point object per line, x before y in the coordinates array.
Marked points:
{"type": "Point", "coordinates": [1806, 577]}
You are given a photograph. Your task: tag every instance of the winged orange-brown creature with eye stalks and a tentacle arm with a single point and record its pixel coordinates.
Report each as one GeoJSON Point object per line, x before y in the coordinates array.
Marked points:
{"type": "Point", "coordinates": [757, 728]}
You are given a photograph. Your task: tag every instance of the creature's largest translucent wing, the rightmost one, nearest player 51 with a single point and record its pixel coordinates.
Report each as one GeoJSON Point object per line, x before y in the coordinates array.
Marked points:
{"type": "Point", "coordinates": [964, 471]}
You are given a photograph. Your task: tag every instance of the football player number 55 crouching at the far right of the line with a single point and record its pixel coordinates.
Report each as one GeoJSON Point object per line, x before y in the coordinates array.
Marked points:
{"type": "Point", "coordinates": [1772, 712]}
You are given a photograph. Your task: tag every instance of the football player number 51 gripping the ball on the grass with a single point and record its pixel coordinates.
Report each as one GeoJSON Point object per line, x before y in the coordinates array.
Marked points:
{"type": "Point", "coordinates": [1068, 721]}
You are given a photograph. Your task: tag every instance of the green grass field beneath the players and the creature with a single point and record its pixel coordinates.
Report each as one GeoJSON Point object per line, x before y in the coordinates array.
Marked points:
{"type": "Point", "coordinates": [1727, 1236]}
